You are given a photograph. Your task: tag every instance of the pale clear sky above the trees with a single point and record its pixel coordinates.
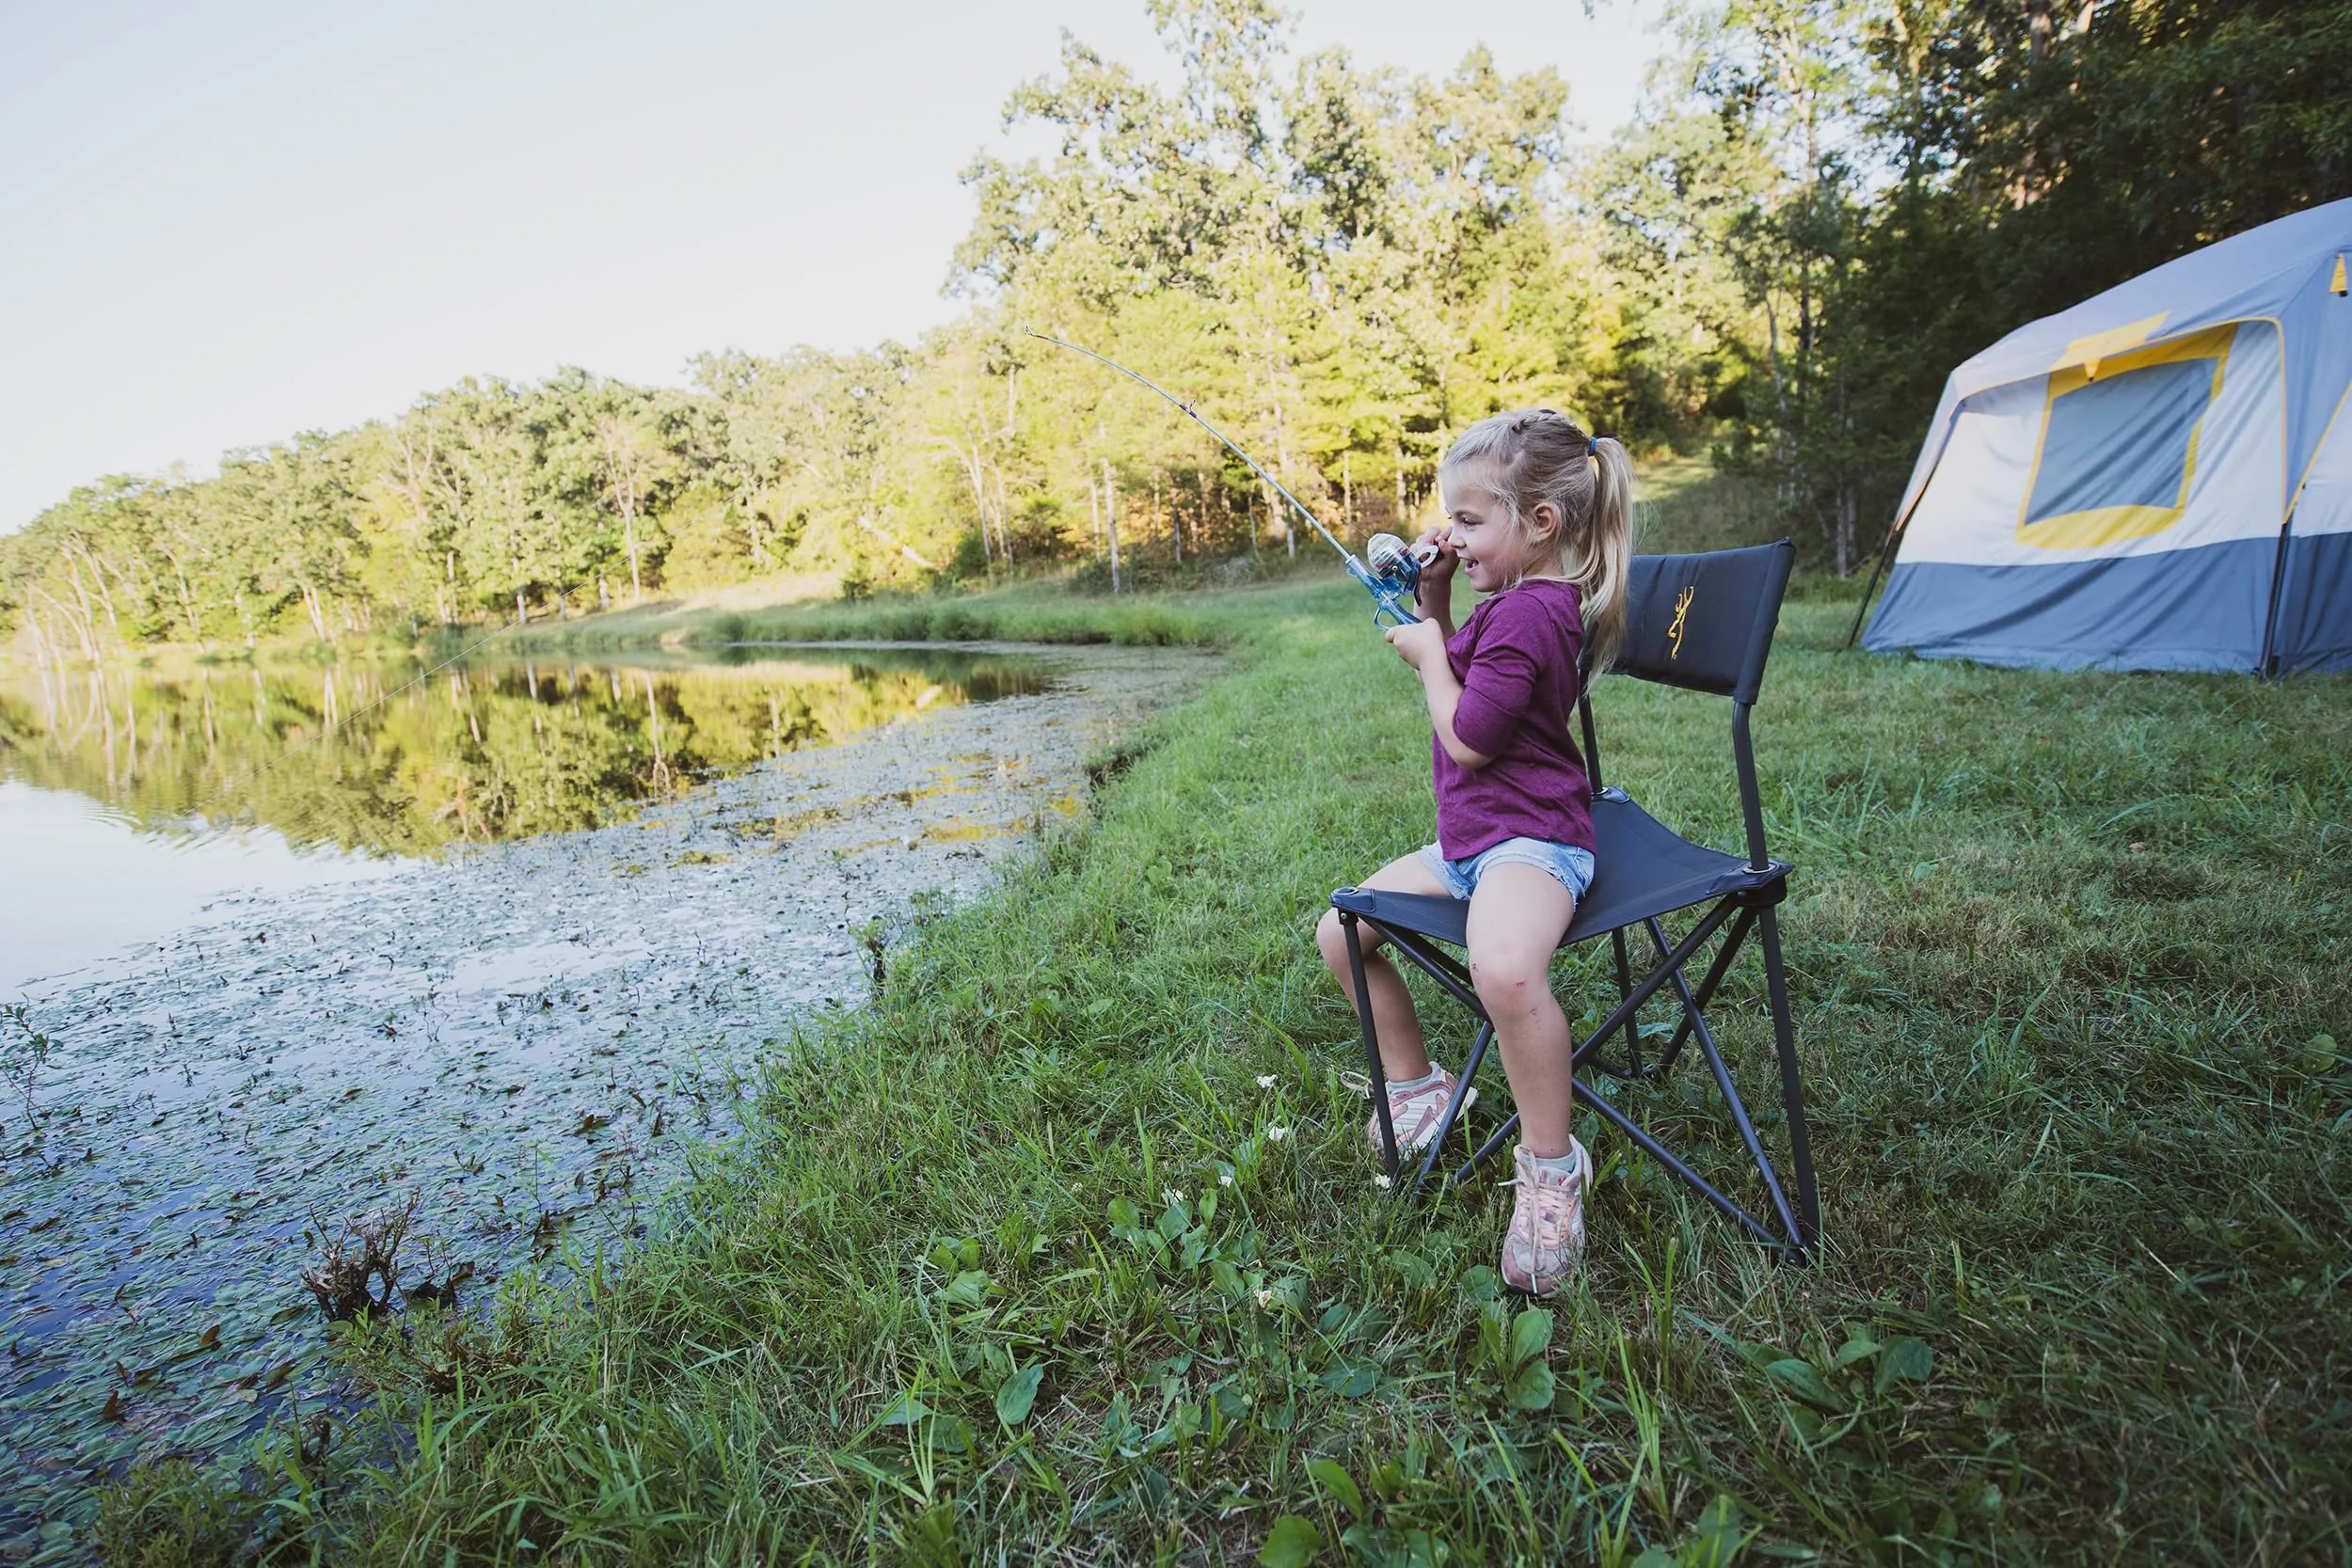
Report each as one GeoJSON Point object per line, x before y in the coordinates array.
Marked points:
{"type": "Point", "coordinates": [232, 222]}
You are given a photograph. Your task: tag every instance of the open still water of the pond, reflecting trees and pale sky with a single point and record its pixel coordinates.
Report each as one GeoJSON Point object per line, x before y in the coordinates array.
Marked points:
{"type": "Point", "coordinates": [135, 800]}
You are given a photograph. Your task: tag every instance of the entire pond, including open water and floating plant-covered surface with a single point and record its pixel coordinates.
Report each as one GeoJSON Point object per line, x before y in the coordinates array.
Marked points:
{"type": "Point", "coordinates": [486, 956]}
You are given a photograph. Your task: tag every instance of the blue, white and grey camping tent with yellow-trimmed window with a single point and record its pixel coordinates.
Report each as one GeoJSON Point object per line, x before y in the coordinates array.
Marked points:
{"type": "Point", "coordinates": [2153, 481]}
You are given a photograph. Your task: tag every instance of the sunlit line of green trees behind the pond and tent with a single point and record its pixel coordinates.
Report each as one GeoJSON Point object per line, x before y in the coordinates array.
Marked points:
{"type": "Point", "coordinates": [1822, 208]}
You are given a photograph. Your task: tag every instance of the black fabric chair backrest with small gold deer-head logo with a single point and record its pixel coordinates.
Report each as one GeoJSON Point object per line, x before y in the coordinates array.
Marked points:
{"type": "Point", "coordinates": [1704, 622]}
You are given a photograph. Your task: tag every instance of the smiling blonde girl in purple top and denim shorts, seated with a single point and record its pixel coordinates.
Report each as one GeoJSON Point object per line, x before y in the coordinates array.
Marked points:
{"type": "Point", "coordinates": [1542, 521]}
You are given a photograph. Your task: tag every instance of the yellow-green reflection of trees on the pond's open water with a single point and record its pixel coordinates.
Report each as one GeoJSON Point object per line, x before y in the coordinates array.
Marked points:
{"type": "Point", "coordinates": [356, 756]}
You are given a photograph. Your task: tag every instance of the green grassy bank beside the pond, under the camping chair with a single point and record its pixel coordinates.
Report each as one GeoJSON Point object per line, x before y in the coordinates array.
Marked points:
{"type": "Point", "coordinates": [1071, 1249]}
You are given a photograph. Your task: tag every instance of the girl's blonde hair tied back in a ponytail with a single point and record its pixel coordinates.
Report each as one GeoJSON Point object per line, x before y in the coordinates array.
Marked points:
{"type": "Point", "coordinates": [1539, 455]}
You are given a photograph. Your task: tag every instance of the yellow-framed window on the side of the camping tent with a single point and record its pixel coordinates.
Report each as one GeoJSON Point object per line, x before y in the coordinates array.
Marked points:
{"type": "Point", "coordinates": [2120, 443]}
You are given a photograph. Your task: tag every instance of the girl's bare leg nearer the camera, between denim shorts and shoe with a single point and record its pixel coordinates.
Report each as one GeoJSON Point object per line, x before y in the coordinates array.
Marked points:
{"type": "Point", "coordinates": [1518, 918]}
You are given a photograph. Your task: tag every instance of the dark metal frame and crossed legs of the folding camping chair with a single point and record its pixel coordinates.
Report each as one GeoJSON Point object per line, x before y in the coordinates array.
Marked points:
{"type": "Point", "coordinates": [1793, 1231]}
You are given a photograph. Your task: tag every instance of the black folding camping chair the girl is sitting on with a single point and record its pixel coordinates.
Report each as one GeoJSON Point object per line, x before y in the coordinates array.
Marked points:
{"type": "Point", "coordinates": [1704, 624]}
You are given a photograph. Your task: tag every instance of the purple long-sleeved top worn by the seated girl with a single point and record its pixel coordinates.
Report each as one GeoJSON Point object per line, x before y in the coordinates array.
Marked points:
{"type": "Point", "coordinates": [1516, 659]}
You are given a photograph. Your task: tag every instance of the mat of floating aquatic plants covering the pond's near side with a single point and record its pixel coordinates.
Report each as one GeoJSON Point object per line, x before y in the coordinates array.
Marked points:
{"type": "Point", "coordinates": [385, 1101]}
